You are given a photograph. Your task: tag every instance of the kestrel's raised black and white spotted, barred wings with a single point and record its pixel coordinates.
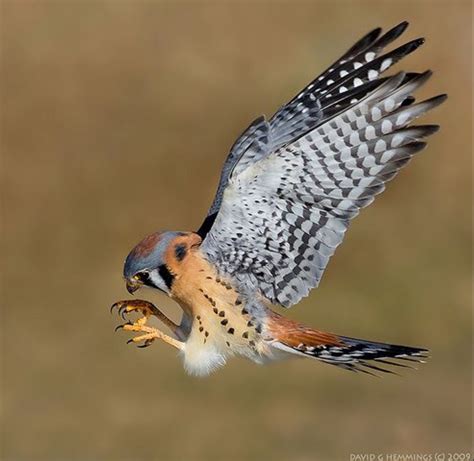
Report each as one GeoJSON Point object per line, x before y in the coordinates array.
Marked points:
{"type": "Point", "coordinates": [291, 185]}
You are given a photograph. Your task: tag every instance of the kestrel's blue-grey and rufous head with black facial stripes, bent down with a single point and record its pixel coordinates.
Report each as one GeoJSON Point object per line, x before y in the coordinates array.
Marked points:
{"type": "Point", "coordinates": [155, 260]}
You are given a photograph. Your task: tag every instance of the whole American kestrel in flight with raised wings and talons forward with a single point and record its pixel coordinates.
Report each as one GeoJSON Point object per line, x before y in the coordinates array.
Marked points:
{"type": "Point", "coordinates": [288, 190]}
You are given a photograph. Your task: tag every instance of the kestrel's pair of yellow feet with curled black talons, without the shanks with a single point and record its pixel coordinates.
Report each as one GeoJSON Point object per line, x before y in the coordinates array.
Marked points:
{"type": "Point", "coordinates": [147, 309]}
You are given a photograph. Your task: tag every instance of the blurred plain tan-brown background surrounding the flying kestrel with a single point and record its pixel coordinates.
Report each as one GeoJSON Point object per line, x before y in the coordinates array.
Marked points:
{"type": "Point", "coordinates": [116, 118]}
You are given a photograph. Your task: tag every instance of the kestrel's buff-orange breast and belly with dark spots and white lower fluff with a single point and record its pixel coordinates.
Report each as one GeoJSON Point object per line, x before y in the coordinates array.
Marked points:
{"type": "Point", "coordinates": [223, 323]}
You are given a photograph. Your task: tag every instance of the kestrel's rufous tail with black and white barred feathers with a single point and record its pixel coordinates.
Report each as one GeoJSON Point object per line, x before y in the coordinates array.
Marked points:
{"type": "Point", "coordinates": [348, 353]}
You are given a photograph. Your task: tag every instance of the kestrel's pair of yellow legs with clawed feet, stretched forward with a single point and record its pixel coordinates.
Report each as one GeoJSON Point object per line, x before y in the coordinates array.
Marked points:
{"type": "Point", "coordinates": [150, 334]}
